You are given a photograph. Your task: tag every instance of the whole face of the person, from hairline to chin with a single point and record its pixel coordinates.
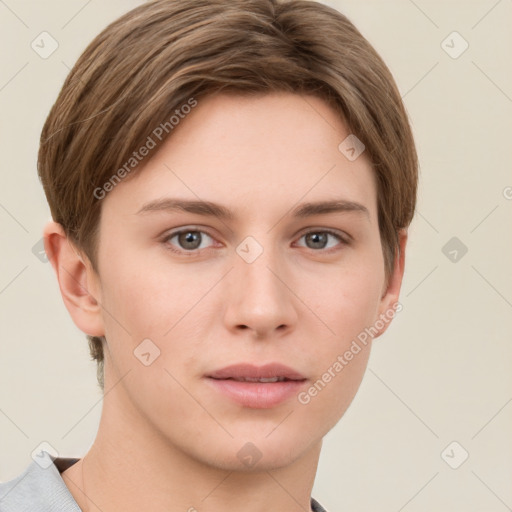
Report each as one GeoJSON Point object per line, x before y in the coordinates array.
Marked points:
{"type": "Point", "coordinates": [266, 278]}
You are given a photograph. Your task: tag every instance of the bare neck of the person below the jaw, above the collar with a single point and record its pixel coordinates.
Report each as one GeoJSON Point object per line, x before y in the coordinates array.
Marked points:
{"type": "Point", "coordinates": [126, 469]}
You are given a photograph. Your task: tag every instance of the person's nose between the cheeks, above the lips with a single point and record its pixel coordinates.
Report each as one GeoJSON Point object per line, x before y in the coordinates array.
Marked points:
{"type": "Point", "coordinates": [260, 296]}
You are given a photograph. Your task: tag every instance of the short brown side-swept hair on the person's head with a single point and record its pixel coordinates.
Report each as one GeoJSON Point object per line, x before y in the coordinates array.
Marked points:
{"type": "Point", "coordinates": [154, 59]}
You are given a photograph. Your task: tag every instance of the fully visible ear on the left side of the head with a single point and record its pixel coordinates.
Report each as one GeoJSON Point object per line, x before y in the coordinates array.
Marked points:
{"type": "Point", "coordinates": [78, 282]}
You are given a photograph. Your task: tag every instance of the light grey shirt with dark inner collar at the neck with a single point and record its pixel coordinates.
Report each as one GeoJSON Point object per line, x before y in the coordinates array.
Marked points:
{"type": "Point", "coordinates": [40, 488]}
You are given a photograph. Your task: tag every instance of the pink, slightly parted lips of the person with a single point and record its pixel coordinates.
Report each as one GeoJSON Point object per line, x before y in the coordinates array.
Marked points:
{"type": "Point", "coordinates": [257, 395]}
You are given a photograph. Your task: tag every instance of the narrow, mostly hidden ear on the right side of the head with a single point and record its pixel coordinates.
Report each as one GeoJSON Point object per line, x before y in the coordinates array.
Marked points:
{"type": "Point", "coordinates": [389, 304]}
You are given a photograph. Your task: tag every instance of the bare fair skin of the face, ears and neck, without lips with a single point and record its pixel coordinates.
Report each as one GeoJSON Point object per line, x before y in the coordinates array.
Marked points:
{"type": "Point", "coordinates": [167, 437]}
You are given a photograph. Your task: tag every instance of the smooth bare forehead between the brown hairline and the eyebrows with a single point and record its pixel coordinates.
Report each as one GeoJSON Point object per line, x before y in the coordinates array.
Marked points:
{"type": "Point", "coordinates": [256, 151]}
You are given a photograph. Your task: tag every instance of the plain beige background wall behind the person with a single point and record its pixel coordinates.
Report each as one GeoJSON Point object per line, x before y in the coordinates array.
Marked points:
{"type": "Point", "coordinates": [441, 373]}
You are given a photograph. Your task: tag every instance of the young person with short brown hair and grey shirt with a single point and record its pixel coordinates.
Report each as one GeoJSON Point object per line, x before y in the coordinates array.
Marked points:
{"type": "Point", "coordinates": [231, 184]}
